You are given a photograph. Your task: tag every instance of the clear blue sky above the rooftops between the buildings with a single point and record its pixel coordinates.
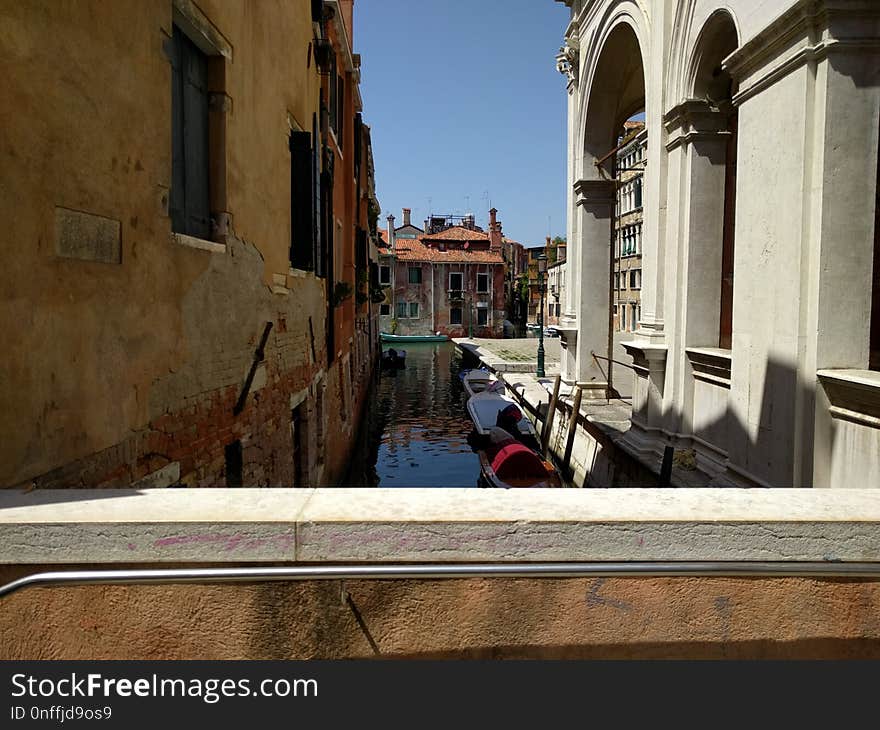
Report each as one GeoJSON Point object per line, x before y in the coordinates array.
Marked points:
{"type": "Point", "coordinates": [466, 107]}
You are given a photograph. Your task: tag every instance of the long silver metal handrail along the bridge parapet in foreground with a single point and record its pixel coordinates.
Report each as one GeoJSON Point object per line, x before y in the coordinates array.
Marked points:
{"type": "Point", "coordinates": [436, 571]}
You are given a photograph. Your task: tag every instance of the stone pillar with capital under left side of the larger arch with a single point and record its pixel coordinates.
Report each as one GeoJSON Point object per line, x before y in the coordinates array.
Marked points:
{"type": "Point", "coordinates": [595, 208]}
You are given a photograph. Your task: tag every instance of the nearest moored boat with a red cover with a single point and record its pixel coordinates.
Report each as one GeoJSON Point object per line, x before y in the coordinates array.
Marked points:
{"type": "Point", "coordinates": [506, 463]}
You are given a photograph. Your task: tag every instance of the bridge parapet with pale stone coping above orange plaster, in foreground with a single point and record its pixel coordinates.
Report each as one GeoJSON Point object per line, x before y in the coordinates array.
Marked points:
{"type": "Point", "coordinates": [793, 616]}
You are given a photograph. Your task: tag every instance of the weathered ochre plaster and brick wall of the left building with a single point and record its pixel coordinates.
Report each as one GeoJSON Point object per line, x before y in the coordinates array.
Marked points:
{"type": "Point", "coordinates": [117, 369]}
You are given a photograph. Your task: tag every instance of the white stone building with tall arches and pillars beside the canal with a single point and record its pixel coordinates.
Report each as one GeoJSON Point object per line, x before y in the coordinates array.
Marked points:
{"type": "Point", "coordinates": [760, 323]}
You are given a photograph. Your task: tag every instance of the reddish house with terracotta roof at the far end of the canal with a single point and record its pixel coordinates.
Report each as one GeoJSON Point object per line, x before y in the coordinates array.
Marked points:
{"type": "Point", "coordinates": [447, 280]}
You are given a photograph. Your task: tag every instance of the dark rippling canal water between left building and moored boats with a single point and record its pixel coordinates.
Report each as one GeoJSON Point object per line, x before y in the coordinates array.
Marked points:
{"type": "Point", "coordinates": [415, 431]}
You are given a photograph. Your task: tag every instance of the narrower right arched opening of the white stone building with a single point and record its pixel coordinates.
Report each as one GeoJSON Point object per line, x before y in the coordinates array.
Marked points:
{"type": "Point", "coordinates": [714, 87]}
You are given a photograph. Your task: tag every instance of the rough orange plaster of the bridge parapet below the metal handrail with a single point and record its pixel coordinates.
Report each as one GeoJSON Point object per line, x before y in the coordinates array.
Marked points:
{"type": "Point", "coordinates": [792, 618]}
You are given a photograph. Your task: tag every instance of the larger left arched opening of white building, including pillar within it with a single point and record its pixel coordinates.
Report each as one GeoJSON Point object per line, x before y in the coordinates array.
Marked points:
{"type": "Point", "coordinates": [616, 96]}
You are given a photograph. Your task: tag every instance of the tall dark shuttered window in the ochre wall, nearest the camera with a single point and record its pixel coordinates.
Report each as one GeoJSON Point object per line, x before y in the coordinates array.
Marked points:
{"type": "Point", "coordinates": [190, 195]}
